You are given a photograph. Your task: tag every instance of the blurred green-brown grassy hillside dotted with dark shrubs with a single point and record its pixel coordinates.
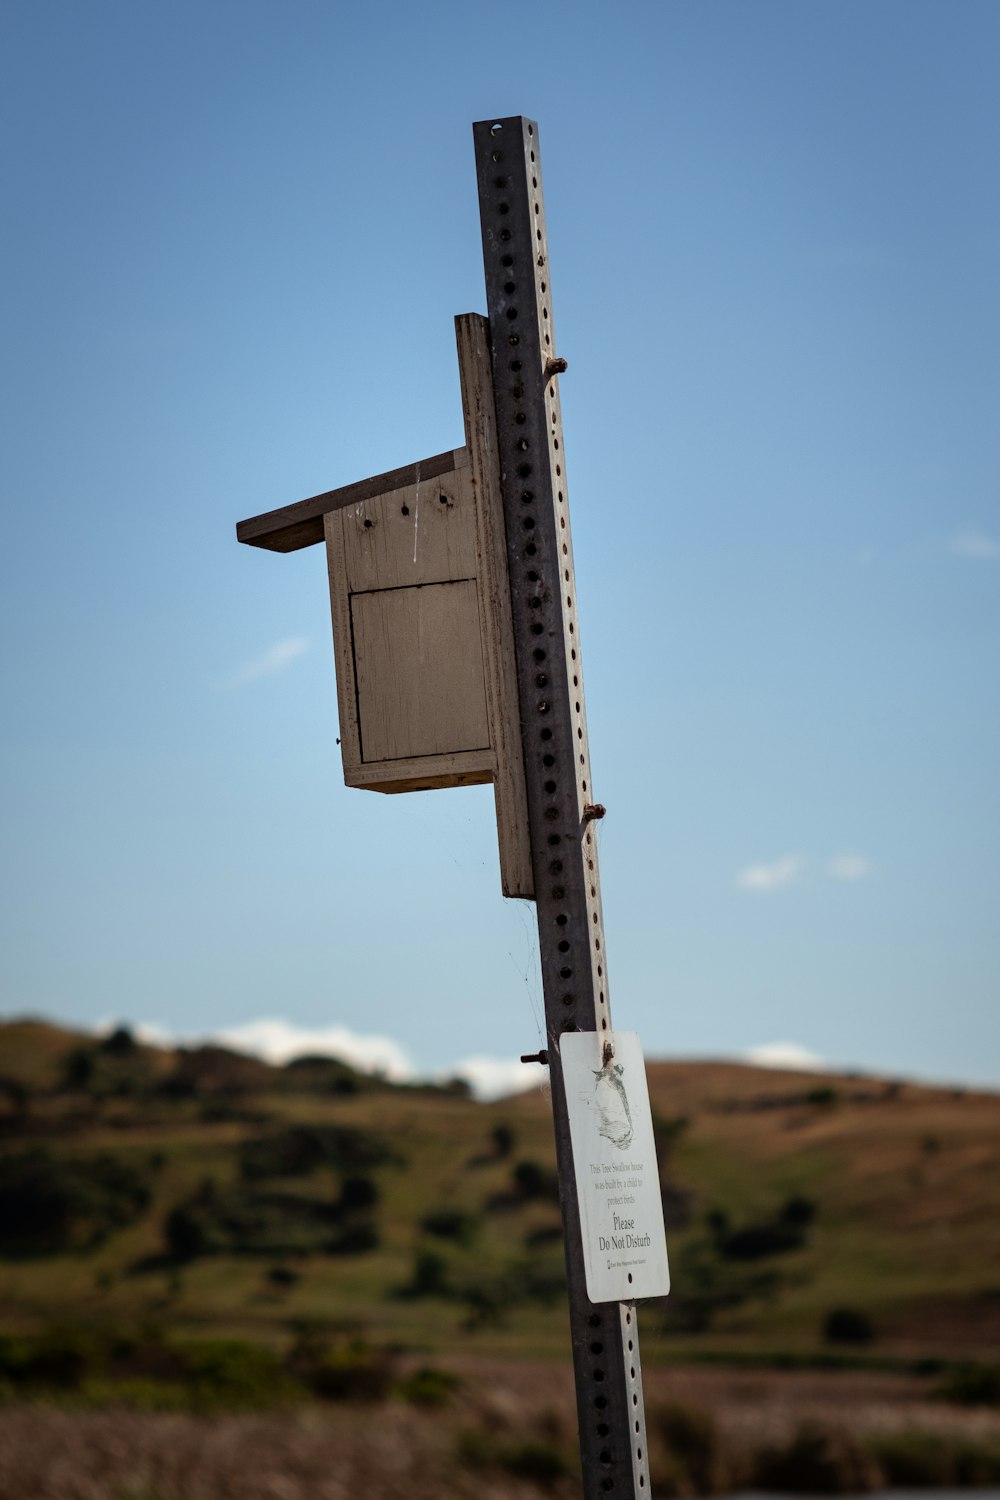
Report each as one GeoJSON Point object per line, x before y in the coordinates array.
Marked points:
{"type": "Point", "coordinates": [215, 1196]}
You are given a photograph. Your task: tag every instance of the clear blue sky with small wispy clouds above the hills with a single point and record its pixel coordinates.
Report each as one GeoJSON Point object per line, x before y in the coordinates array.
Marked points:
{"type": "Point", "coordinates": [236, 238]}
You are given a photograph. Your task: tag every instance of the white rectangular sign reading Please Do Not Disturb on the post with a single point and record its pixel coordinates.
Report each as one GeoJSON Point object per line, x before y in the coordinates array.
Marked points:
{"type": "Point", "coordinates": [615, 1163]}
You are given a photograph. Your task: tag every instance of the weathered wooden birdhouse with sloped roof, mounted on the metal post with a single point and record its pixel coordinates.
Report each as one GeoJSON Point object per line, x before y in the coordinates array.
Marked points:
{"type": "Point", "coordinates": [422, 626]}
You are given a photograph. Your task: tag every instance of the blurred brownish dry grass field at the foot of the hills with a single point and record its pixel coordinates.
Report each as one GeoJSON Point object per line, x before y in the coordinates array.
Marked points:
{"type": "Point", "coordinates": [507, 1433]}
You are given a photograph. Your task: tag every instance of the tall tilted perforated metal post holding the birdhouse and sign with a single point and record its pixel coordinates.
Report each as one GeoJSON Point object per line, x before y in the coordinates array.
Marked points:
{"type": "Point", "coordinates": [557, 760]}
